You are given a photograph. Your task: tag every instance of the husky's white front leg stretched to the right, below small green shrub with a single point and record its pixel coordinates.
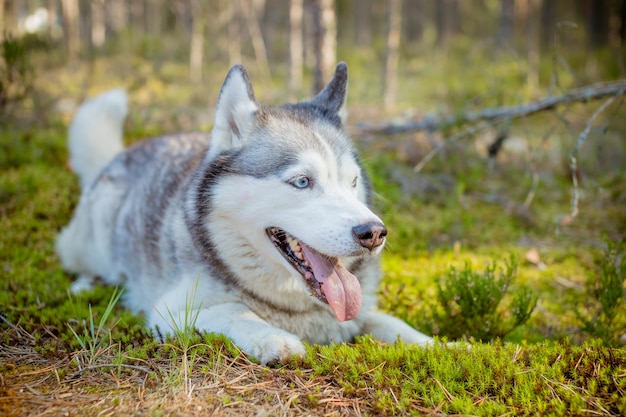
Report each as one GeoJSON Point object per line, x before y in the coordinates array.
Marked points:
{"type": "Point", "coordinates": [387, 328]}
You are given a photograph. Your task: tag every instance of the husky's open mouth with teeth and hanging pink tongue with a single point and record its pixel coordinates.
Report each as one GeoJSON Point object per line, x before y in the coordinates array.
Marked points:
{"type": "Point", "coordinates": [325, 276]}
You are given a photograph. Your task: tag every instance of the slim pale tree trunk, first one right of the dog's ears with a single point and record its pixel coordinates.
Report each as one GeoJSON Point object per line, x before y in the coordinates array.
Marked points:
{"type": "Point", "coordinates": [394, 16]}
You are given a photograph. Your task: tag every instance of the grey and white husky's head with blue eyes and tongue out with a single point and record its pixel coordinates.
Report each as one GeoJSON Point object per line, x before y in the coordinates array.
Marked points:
{"type": "Point", "coordinates": [292, 188]}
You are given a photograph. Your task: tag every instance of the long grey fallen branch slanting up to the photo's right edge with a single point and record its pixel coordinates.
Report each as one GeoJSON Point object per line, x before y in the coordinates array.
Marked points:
{"type": "Point", "coordinates": [494, 115]}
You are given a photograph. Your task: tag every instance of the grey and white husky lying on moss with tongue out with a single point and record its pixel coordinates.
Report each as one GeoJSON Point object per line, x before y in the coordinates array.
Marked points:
{"type": "Point", "coordinates": [261, 230]}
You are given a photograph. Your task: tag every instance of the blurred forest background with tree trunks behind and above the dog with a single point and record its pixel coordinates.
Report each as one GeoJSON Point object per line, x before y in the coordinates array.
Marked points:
{"type": "Point", "coordinates": [435, 61]}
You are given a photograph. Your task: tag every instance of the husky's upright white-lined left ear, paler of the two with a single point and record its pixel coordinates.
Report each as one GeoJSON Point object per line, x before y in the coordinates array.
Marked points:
{"type": "Point", "coordinates": [235, 111]}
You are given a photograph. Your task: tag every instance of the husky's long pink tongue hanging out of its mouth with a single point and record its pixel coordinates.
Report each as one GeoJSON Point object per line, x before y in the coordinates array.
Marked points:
{"type": "Point", "coordinates": [341, 288]}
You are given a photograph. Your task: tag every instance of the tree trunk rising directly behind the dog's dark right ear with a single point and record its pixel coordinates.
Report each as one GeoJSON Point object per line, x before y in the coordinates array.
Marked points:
{"type": "Point", "coordinates": [324, 44]}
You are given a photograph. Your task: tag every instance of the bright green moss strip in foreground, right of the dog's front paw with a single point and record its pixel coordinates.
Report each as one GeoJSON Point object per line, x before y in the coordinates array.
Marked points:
{"type": "Point", "coordinates": [483, 379]}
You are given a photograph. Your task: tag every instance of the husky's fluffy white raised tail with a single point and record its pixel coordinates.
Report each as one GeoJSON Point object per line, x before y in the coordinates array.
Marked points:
{"type": "Point", "coordinates": [96, 134]}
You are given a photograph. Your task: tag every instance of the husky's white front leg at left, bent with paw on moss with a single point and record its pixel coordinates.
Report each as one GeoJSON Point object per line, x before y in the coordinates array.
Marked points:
{"type": "Point", "coordinates": [252, 334]}
